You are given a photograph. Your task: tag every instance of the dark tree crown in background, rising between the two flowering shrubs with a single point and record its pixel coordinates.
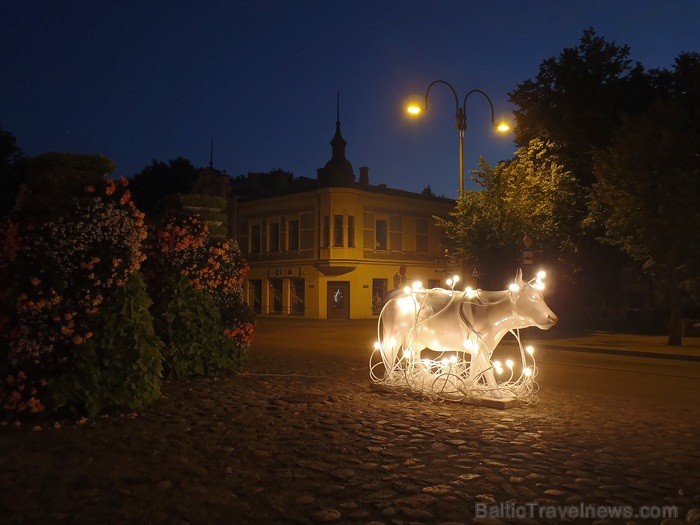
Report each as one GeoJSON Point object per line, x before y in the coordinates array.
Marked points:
{"type": "Point", "coordinates": [158, 180]}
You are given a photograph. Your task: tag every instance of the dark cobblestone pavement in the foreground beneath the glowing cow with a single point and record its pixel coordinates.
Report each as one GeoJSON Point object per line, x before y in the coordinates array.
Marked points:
{"type": "Point", "coordinates": [298, 437]}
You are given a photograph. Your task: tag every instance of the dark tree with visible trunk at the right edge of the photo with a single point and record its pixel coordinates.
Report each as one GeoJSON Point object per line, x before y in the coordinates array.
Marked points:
{"type": "Point", "coordinates": [647, 190]}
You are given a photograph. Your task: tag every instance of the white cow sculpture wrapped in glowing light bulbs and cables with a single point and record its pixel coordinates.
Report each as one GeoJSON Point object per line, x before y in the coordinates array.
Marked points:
{"type": "Point", "coordinates": [461, 330]}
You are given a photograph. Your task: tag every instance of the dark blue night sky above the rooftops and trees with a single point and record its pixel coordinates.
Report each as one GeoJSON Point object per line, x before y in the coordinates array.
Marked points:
{"type": "Point", "coordinates": [158, 79]}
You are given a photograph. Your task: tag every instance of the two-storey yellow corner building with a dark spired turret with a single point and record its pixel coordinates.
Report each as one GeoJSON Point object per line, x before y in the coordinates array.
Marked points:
{"type": "Point", "coordinates": [331, 249]}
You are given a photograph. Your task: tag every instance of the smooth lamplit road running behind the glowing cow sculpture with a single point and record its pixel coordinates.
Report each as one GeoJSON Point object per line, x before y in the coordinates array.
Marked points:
{"type": "Point", "coordinates": [666, 383]}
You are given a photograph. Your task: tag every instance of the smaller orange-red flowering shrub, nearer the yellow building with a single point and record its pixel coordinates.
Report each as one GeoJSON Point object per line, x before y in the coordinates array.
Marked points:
{"type": "Point", "coordinates": [183, 247]}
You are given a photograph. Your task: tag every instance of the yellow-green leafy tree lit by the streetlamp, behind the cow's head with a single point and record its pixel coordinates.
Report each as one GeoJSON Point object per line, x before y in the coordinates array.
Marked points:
{"type": "Point", "coordinates": [533, 194]}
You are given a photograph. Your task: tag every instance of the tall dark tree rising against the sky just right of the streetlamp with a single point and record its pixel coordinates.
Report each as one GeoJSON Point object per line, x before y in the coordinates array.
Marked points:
{"type": "Point", "coordinates": [578, 98]}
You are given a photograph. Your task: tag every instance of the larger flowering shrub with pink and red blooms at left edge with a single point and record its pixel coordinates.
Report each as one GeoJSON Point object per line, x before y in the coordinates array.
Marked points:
{"type": "Point", "coordinates": [60, 273]}
